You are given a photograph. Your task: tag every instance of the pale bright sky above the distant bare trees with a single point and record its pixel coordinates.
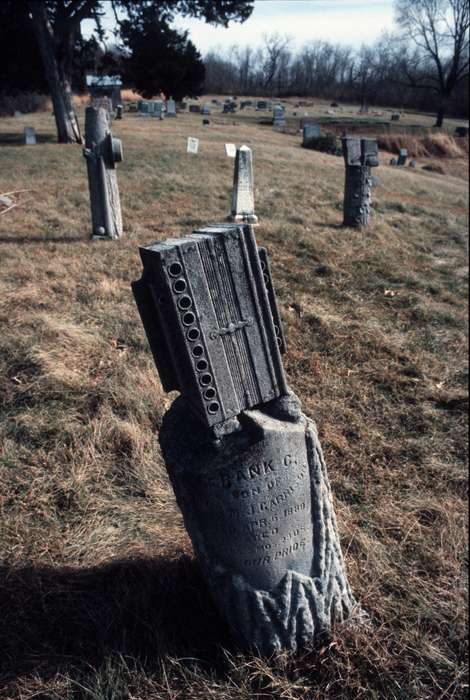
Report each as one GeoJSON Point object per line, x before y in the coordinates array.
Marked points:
{"type": "Point", "coordinates": [350, 22]}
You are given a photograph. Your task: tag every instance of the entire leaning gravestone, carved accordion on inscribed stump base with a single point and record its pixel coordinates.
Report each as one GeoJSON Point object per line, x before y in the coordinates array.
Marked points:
{"type": "Point", "coordinates": [245, 463]}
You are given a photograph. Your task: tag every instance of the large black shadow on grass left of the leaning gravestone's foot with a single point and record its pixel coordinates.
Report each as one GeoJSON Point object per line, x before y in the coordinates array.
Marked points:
{"type": "Point", "coordinates": [66, 620]}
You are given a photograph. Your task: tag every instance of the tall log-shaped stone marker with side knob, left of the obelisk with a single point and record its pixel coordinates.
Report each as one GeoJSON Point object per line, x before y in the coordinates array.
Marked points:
{"type": "Point", "coordinates": [102, 151]}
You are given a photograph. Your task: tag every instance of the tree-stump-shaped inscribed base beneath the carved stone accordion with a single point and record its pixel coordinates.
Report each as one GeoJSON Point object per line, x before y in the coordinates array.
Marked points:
{"type": "Point", "coordinates": [257, 505]}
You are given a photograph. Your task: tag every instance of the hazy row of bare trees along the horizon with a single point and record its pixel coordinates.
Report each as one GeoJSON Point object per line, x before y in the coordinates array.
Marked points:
{"type": "Point", "coordinates": [387, 73]}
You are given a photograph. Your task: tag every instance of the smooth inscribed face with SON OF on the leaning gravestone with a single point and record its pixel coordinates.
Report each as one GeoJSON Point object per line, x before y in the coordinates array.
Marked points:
{"type": "Point", "coordinates": [256, 516]}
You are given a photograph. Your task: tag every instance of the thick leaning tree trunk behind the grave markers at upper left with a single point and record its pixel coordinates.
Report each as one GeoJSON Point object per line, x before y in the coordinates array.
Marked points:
{"type": "Point", "coordinates": [68, 130]}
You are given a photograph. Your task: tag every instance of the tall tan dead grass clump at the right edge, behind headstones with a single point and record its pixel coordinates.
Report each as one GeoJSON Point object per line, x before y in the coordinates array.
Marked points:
{"type": "Point", "coordinates": [440, 145]}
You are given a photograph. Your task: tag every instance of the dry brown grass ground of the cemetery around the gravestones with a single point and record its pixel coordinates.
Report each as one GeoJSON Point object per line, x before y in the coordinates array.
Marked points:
{"type": "Point", "coordinates": [99, 593]}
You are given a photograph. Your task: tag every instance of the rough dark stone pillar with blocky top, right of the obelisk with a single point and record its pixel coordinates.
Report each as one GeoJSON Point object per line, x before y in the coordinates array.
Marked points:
{"type": "Point", "coordinates": [360, 155]}
